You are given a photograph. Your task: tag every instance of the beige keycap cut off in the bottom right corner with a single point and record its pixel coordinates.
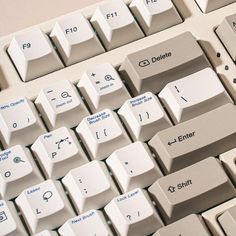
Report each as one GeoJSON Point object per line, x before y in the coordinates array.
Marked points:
{"type": "Point", "coordinates": [228, 221]}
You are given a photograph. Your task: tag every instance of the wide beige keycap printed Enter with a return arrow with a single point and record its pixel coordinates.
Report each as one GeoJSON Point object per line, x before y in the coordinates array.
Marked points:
{"type": "Point", "coordinates": [191, 141]}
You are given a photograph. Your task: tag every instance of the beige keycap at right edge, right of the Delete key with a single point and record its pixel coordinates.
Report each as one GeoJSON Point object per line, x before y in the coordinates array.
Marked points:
{"type": "Point", "coordinates": [227, 33]}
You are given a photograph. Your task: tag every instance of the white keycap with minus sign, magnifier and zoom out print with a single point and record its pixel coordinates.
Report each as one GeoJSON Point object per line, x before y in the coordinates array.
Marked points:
{"type": "Point", "coordinates": [61, 105]}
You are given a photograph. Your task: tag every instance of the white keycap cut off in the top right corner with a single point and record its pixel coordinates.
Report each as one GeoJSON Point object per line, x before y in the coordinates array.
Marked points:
{"type": "Point", "coordinates": [211, 5]}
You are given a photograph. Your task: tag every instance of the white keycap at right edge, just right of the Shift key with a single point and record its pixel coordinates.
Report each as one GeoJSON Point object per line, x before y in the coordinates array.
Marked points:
{"type": "Point", "coordinates": [228, 160]}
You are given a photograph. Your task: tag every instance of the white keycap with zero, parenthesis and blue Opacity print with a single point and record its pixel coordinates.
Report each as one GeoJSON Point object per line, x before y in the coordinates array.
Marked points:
{"type": "Point", "coordinates": [19, 123]}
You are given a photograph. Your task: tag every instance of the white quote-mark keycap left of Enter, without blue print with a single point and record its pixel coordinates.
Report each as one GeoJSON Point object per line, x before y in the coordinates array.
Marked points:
{"type": "Point", "coordinates": [133, 166]}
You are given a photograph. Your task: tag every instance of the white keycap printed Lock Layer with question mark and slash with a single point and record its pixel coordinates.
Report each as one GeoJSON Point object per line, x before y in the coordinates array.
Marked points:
{"type": "Point", "coordinates": [133, 214]}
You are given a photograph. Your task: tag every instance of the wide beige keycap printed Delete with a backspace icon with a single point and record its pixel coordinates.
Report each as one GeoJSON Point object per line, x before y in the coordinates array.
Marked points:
{"type": "Point", "coordinates": [150, 69]}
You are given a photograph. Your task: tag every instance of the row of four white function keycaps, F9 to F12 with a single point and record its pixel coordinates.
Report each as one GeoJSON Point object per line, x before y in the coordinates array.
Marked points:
{"type": "Point", "coordinates": [75, 39]}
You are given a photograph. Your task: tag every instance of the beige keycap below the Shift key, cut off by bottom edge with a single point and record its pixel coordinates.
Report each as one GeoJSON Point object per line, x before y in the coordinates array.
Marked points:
{"type": "Point", "coordinates": [195, 227]}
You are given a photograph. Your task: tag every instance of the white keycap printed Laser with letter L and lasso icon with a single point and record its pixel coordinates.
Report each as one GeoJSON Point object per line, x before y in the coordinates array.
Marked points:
{"type": "Point", "coordinates": [44, 206]}
